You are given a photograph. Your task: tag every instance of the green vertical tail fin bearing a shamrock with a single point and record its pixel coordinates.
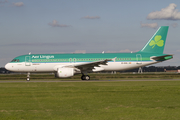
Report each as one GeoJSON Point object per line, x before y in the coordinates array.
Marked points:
{"type": "Point", "coordinates": [157, 42]}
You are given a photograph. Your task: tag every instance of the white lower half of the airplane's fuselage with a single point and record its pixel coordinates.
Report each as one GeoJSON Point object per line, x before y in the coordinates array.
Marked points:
{"type": "Point", "coordinates": [52, 67]}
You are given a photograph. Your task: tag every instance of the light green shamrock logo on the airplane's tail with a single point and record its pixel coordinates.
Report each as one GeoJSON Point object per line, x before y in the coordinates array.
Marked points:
{"type": "Point", "coordinates": [157, 41]}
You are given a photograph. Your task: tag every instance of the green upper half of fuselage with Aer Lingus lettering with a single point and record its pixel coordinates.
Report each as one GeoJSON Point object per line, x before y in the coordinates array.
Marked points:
{"type": "Point", "coordinates": [88, 57]}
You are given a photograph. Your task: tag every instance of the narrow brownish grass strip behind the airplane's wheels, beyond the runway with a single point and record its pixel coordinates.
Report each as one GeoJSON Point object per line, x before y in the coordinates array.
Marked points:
{"type": "Point", "coordinates": [94, 76]}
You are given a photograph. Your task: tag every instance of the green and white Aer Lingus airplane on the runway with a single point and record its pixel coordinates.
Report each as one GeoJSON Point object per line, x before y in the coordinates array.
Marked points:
{"type": "Point", "coordinates": [67, 65]}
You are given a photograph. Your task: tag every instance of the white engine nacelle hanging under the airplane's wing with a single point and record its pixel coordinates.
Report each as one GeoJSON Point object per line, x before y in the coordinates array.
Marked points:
{"type": "Point", "coordinates": [65, 72]}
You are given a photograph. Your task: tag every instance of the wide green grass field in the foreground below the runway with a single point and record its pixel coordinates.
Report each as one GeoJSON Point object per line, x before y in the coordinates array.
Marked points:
{"type": "Point", "coordinates": [124, 100]}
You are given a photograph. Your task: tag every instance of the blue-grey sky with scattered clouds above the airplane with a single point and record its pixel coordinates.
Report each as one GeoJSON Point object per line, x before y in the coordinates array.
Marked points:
{"type": "Point", "coordinates": [86, 26]}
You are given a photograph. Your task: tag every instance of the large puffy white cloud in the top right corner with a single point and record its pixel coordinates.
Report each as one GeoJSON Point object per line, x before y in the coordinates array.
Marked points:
{"type": "Point", "coordinates": [168, 13]}
